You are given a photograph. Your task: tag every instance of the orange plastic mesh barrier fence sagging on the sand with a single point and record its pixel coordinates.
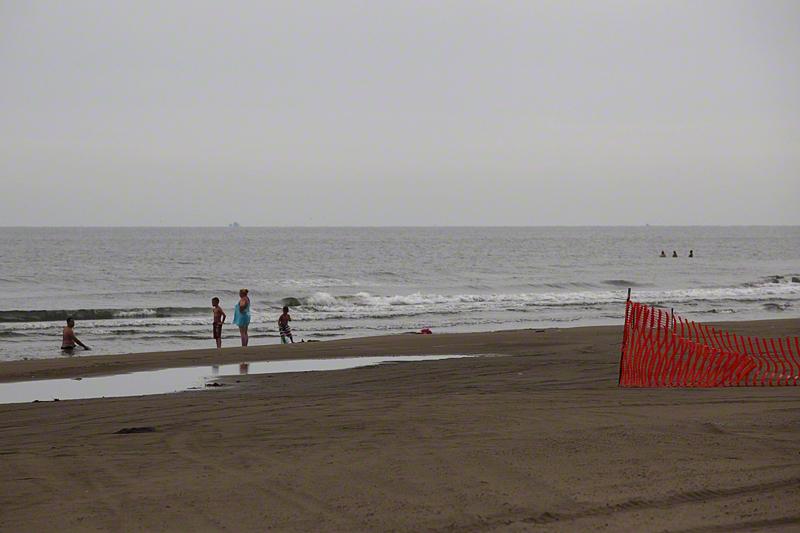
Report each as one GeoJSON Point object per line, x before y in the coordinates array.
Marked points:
{"type": "Point", "coordinates": [661, 349]}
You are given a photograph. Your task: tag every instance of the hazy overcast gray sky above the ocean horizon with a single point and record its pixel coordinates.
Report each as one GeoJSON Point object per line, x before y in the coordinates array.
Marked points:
{"type": "Point", "coordinates": [399, 113]}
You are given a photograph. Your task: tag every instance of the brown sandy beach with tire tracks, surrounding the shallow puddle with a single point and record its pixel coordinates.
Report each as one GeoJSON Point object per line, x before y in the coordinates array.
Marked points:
{"type": "Point", "coordinates": [536, 436]}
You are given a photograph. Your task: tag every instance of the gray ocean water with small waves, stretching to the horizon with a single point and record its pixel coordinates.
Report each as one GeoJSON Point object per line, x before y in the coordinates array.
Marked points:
{"type": "Point", "coordinates": [145, 289]}
